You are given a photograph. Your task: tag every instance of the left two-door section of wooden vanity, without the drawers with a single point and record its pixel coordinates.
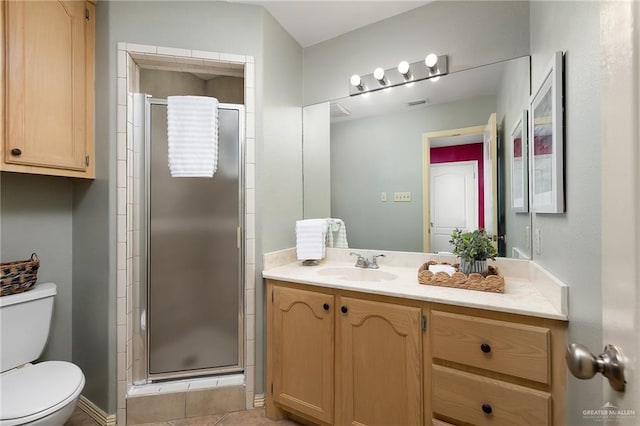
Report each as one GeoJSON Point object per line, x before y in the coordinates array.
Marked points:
{"type": "Point", "coordinates": [339, 358]}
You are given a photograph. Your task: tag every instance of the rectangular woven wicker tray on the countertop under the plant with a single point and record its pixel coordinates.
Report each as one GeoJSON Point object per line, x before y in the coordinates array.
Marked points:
{"type": "Point", "coordinates": [493, 282]}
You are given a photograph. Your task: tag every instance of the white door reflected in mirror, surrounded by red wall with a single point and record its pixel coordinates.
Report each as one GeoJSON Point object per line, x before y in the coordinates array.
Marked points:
{"type": "Point", "coordinates": [454, 201]}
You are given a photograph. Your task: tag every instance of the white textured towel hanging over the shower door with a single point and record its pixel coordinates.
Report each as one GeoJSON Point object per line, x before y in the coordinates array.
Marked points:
{"type": "Point", "coordinates": [192, 131]}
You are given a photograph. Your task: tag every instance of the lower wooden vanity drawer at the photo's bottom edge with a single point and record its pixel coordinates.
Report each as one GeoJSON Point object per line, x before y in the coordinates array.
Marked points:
{"type": "Point", "coordinates": [483, 401]}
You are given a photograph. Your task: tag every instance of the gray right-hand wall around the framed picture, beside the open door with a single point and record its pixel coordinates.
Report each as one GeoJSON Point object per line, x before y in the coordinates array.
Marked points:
{"type": "Point", "coordinates": [571, 241]}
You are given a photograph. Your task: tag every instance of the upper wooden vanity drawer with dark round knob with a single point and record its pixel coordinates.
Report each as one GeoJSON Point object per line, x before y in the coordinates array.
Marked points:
{"type": "Point", "coordinates": [516, 349]}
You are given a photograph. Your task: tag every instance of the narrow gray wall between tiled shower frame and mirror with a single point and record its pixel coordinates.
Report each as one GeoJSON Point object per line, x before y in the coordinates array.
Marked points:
{"type": "Point", "coordinates": [279, 174]}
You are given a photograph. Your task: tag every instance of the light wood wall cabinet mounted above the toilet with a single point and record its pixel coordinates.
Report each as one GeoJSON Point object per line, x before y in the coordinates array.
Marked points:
{"type": "Point", "coordinates": [48, 83]}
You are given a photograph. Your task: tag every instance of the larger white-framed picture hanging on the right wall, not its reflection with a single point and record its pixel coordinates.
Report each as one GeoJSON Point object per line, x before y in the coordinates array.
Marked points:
{"type": "Point", "coordinates": [546, 143]}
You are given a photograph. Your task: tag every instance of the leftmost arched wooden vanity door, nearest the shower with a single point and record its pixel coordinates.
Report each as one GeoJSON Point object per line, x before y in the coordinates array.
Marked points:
{"type": "Point", "coordinates": [303, 351]}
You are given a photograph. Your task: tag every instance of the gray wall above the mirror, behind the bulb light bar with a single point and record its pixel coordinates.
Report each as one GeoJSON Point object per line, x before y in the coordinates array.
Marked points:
{"type": "Point", "coordinates": [472, 33]}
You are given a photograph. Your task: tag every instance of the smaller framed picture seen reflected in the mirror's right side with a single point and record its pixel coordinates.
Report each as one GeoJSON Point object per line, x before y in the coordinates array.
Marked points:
{"type": "Point", "coordinates": [520, 165]}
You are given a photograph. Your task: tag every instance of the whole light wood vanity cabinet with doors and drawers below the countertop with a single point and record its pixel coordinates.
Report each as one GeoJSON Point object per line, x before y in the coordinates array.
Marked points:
{"type": "Point", "coordinates": [341, 357]}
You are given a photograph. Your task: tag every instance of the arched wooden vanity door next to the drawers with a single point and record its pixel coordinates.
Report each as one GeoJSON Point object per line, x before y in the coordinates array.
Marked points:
{"type": "Point", "coordinates": [379, 368]}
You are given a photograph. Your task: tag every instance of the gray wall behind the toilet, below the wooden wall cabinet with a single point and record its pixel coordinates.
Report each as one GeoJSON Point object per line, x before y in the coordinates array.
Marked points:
{"type": "Point", "coordinates": [36, 217]}
